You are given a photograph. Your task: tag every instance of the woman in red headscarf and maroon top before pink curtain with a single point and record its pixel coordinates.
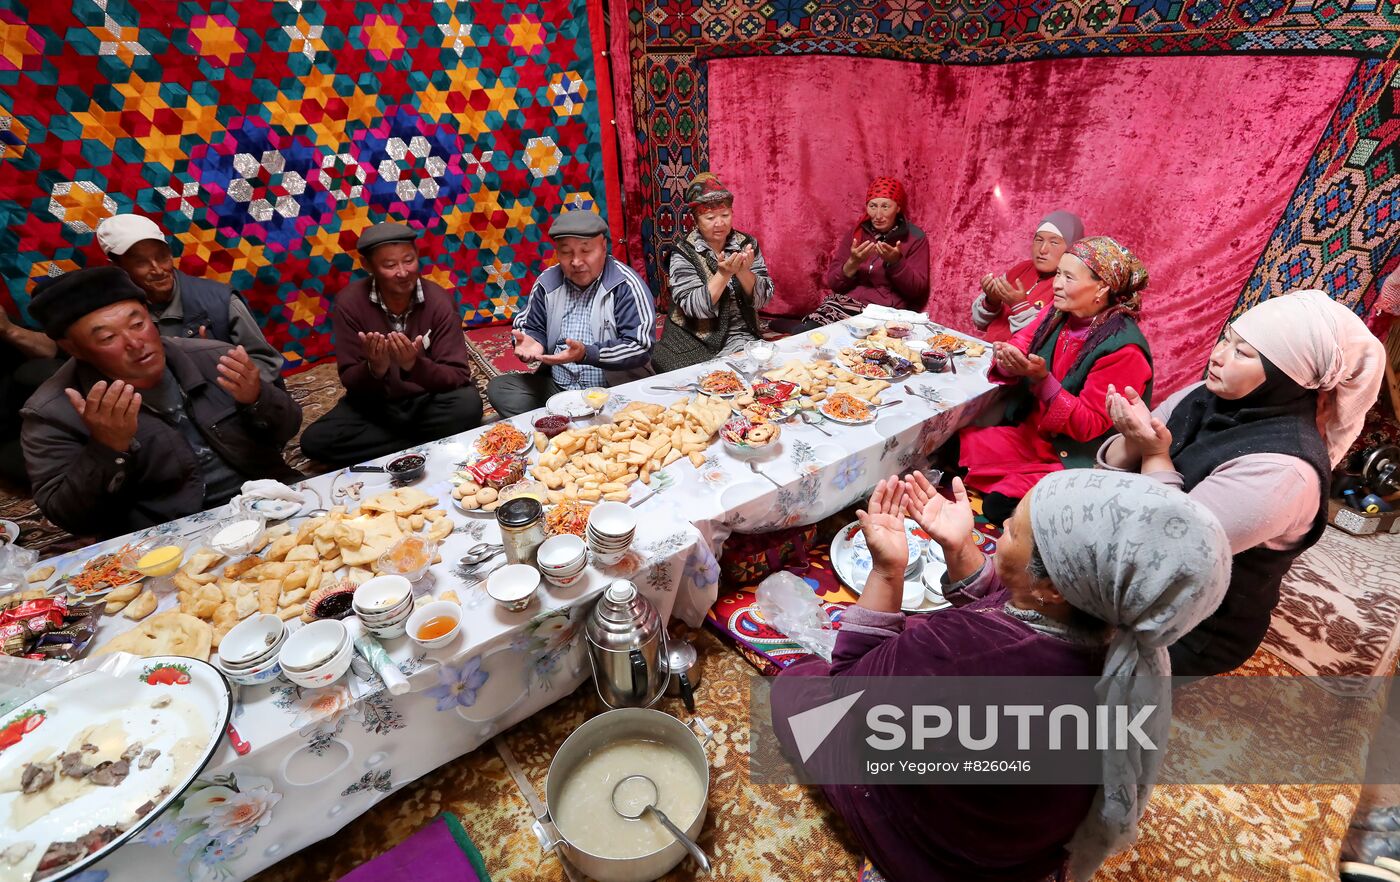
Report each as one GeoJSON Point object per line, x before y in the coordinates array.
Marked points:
{"type": "Point", "coordinates": [884, 262]}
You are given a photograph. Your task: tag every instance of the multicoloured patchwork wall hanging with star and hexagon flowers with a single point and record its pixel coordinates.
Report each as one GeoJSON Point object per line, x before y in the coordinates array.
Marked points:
{"type": "Point", "coordinates": [264, 136]}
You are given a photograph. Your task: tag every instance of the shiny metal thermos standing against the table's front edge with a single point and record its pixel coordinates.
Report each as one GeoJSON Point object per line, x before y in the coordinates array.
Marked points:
{"type": "Point", "coordinates": [626, 647]}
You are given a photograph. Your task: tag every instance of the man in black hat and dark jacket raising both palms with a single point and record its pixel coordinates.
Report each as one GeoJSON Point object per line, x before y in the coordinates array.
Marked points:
{"type": "Point", "coordinates": [138, 429]}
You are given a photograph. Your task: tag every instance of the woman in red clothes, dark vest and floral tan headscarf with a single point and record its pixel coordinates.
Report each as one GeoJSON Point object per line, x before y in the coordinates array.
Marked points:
{"type": "Point", "coordinates": [1060, 369]}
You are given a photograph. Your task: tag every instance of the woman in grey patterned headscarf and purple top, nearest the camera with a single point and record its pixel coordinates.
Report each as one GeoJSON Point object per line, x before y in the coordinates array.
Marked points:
{"type": "Point", "coordinates": [1095, 576]}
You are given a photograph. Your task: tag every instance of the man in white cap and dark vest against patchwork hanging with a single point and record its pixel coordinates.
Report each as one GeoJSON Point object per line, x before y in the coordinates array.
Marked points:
{"type": "Point", "coordinates": [184, 306]}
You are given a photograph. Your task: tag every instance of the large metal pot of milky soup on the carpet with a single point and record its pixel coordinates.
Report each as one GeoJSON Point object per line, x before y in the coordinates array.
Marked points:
{"type": "Point", "coordinates": [604, 730]}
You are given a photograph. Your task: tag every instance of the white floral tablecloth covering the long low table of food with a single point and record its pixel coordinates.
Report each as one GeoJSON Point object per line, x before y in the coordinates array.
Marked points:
{"type": "Point", "coordinates": [321, 758]}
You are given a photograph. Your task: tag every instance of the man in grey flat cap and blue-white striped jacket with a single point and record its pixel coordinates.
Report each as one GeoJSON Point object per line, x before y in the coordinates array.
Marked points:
{"type": "Point", "coordinates": [590, 321]}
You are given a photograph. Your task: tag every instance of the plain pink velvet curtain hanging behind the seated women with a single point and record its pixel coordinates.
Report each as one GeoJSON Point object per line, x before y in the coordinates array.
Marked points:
{"type": "Point", "coordinates": [1186, 160]}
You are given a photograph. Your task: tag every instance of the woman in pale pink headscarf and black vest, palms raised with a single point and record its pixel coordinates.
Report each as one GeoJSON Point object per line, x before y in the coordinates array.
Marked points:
{"type": "Point", "coordinates": [1286, 393]}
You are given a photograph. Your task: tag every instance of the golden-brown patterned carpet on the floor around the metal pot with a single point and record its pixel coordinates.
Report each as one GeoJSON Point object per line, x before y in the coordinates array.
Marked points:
{"type": "Point", "coordinates": [1248, 834]}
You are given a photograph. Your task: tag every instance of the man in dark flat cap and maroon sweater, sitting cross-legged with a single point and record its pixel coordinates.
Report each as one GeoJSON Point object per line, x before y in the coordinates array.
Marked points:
{"type": "Point", "coordinates": [402, 359]}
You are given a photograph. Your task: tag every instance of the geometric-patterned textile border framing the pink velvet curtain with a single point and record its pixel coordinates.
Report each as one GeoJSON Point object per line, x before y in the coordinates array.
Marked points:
{"type": "Point", "coordinates": [1338, 234]}
